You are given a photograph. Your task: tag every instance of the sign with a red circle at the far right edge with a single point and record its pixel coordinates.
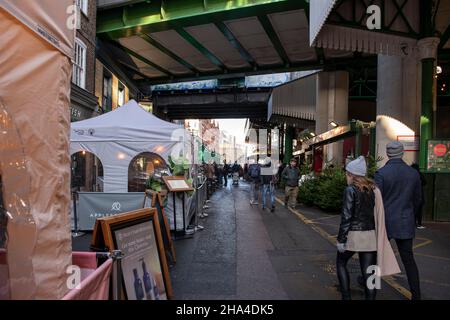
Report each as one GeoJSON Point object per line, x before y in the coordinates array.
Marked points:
{"type": "Point", "coordinates": [438, 156]}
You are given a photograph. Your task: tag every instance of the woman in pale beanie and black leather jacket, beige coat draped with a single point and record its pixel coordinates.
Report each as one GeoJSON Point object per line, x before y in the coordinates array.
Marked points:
{"type": "Point", "coordinates": [362, 230]}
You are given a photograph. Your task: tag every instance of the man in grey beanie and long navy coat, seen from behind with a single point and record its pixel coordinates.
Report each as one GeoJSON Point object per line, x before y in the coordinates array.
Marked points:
{"type": "Point", "coordinates": [400, 187]}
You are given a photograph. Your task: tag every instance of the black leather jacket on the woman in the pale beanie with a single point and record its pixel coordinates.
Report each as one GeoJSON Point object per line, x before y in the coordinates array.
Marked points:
{"type": "Point", "coordinates": [357, 212]}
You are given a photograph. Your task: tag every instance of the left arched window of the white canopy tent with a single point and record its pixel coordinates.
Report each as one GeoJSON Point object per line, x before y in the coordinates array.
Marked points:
{"type": "Point", "coordinates": [87, 173]}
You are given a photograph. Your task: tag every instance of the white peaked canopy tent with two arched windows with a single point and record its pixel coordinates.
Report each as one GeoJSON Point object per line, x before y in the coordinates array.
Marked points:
{"type": "Point", "coordinates": [120, 135]}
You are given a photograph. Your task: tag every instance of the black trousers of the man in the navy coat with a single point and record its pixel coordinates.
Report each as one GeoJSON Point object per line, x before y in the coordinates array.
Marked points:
{"type": "Point", "coordinates": [405, 248]}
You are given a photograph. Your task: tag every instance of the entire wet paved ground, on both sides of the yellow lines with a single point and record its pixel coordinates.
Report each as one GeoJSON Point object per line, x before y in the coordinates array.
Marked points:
{"type": "Point", "coordinates": [247, 253]}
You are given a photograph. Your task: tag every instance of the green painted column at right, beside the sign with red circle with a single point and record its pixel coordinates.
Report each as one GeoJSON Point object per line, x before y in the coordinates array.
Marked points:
{"type": "Point", "coordinates": [426, 118]}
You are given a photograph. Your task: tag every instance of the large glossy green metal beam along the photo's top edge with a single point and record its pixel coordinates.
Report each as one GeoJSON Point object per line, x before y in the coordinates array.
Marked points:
{"type": "Point", "coordinates": [166, 15]}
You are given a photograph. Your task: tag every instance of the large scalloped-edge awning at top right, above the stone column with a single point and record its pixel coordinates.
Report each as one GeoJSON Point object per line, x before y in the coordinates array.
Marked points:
{"type": "Point", "coordinates": [342, 25]}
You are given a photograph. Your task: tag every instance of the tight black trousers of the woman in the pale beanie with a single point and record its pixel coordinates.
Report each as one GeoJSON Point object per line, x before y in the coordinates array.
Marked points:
{"type": "Point", "coordinates": [366, 259]}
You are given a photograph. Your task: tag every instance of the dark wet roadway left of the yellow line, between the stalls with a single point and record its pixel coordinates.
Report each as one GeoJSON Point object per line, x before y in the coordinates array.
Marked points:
{"type": "Point", "coordinates": [247, 253]}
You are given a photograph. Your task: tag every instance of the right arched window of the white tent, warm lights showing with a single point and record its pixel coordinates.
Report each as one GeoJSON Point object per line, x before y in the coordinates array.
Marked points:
{"type": "Point", "coordinates": [142, 167]}
